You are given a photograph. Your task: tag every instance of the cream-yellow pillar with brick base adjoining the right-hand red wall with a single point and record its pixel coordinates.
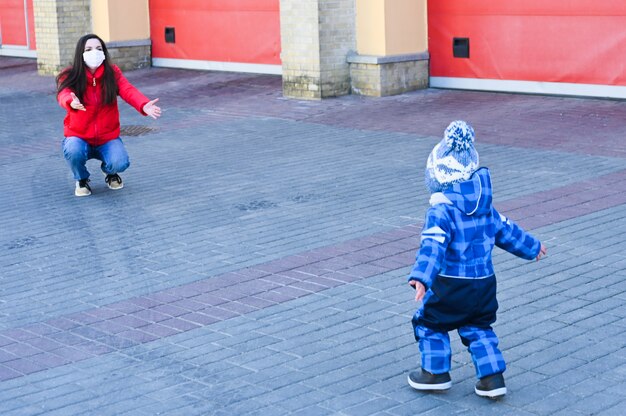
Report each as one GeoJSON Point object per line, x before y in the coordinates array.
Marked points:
{"type": "Point", "coordinates": [392, 46]}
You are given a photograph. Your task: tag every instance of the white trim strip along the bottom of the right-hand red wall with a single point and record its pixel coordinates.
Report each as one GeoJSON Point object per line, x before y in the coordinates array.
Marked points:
{"type": "Point", "coordinates": [532, 87]}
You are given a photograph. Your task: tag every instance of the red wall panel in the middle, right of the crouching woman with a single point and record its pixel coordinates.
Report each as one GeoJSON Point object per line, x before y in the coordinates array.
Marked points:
{"type": "Point", "coordinates": [246, 31]}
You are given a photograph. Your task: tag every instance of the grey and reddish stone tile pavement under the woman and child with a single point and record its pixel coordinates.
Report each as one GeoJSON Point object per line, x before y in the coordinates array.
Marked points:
{"type": "Point", "coordinates": [255, 261]}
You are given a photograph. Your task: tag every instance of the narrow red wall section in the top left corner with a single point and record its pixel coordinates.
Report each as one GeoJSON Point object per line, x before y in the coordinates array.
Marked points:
{"type": "Point", "coordinates": [13, 23]}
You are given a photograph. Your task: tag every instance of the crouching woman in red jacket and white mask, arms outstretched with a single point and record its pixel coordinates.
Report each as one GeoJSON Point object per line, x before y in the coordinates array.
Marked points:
{"type": "Point", "coordinates": [88, 90]}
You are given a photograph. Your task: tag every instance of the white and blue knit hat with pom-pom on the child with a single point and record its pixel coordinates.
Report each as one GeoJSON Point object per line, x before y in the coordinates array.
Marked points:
{"type": "Point", "coordinates": [452, 160]}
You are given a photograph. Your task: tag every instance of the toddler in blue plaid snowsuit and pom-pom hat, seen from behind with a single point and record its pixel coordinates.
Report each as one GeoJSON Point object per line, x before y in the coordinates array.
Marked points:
{"type": "Point", "coordinates": [453, 272]}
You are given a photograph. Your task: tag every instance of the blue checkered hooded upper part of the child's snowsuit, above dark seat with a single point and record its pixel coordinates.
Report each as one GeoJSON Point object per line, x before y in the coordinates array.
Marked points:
{"type": "Point", "coordinates": [461, 229]}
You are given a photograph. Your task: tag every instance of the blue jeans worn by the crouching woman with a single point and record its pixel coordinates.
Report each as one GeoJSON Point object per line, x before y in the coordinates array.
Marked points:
{"type": "Point", "coordinates": [112, 154]}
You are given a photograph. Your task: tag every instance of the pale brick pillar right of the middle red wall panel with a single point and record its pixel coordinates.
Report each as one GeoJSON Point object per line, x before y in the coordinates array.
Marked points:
{"type": "Point", "coordinates": [316, 38]}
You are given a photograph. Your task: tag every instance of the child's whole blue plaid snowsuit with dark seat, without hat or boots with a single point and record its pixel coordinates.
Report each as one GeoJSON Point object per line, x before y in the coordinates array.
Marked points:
{"type": "Point", "coordinates": [454, 264]}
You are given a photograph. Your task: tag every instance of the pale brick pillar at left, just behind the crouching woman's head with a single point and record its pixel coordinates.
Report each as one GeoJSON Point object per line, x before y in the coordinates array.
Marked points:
{"type": "Point", "coordinates": [58, 25]}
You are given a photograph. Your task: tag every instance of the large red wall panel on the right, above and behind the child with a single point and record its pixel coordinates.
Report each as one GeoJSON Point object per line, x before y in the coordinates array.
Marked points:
{"type": "Point", "coordinates": [578, 41]}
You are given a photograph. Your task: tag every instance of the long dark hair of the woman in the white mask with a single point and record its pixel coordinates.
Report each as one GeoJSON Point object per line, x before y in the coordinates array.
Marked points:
{"type": "Point", "coordinates": [75, 77]}
